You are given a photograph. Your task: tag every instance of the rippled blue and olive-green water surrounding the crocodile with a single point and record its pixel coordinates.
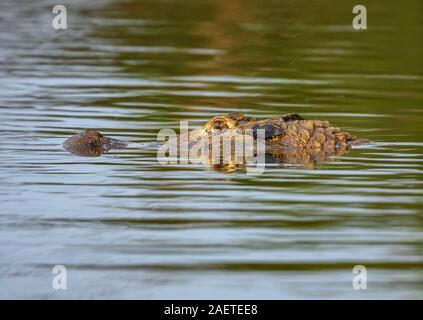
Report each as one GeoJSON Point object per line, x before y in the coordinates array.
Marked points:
{"type": "Point", "coordinates": [127, 227]}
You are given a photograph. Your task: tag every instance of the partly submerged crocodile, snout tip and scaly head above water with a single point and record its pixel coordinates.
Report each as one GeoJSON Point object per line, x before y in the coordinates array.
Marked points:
{"type": "Point", "coordinates": [289, 139]}
